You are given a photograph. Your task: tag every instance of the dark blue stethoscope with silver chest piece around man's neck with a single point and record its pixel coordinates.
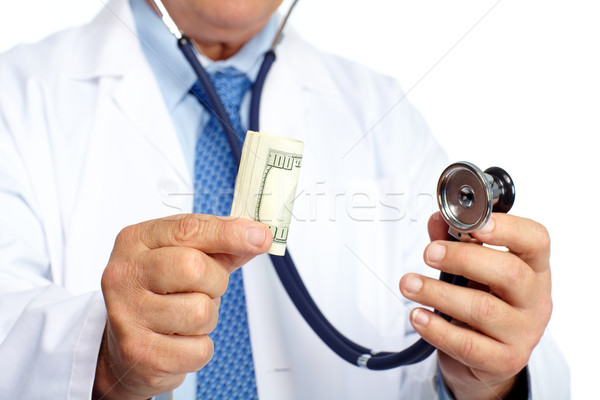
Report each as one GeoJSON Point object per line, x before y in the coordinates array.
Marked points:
{"type": "Point", "coordinates": [485, 188]}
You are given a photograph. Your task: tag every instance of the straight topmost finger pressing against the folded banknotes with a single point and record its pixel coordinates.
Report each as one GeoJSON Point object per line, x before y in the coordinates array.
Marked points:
{"type": "Point", "coordinates": [207, 233]}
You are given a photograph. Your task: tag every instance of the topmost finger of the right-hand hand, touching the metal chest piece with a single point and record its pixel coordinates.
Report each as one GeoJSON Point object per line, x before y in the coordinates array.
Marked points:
{"type": "Point", "coordinates": [523, 237]}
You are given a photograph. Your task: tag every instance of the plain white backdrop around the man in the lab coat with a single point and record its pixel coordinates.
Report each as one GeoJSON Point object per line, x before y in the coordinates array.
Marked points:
{"type": "Point", "coordinates": [513, 83]}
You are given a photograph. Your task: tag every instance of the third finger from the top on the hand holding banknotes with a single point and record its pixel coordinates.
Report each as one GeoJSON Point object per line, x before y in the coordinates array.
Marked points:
{"type": "Point", "coordinates": [181, 313]}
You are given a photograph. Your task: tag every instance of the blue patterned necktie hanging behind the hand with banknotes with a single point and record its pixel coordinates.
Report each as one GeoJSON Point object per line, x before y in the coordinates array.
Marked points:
{"type": "Point", "coordinates": [230, 374]}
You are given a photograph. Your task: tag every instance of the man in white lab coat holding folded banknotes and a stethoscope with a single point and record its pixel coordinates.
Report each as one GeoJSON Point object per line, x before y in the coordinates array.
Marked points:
{"type": "Point", "coordinates": [97, 134]}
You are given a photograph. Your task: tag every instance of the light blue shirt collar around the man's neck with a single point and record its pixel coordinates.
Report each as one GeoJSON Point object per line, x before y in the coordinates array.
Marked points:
{"type": "Point", "coordinates": [173, 74]}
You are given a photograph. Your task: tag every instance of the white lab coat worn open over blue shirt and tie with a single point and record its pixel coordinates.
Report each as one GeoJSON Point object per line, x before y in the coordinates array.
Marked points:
{"type": "Point", "coordinates": [87, 147]}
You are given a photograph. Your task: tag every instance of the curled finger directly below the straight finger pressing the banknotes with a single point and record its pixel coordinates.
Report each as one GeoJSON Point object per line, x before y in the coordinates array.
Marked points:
{"type": "Point", "coordinates": [183, 269]}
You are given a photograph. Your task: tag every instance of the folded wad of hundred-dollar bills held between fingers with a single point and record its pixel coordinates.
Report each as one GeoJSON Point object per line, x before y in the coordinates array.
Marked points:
{"type": "Point", "coordinates": [265, 188]}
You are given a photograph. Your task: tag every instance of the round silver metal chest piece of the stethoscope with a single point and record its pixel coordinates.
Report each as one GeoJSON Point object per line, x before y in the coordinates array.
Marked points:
{"type": "Point", "coordinates": [467, 196]}
